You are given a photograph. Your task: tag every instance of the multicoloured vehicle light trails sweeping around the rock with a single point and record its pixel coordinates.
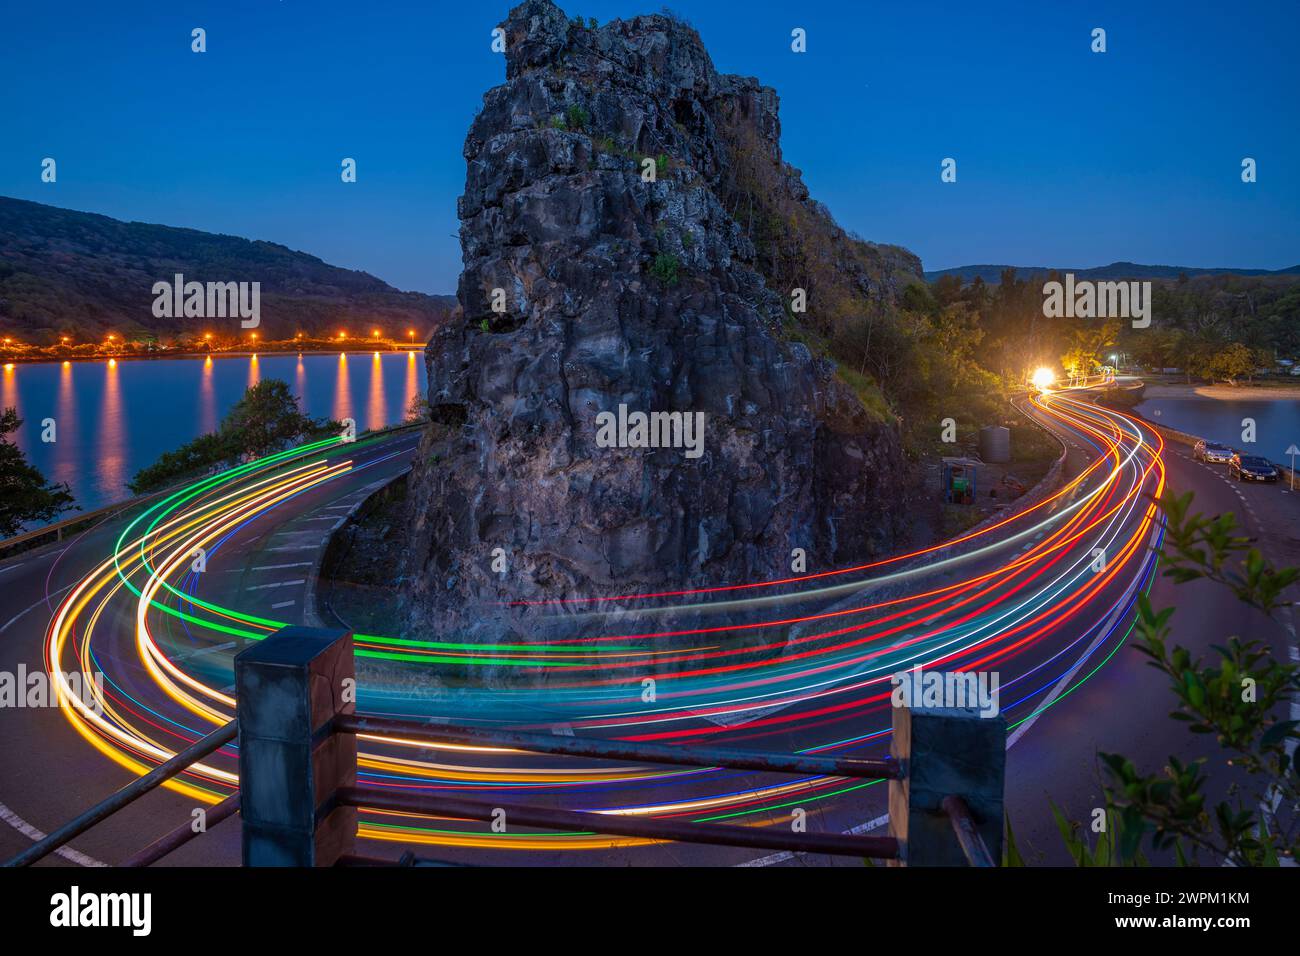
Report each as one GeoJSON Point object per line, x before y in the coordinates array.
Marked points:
{"type": "Point", "coordinates": [814, 682]}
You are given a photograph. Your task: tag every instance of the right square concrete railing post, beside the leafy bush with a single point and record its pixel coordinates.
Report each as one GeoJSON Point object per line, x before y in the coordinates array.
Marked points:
{"type": "Point", "coordinates": [946, 752]}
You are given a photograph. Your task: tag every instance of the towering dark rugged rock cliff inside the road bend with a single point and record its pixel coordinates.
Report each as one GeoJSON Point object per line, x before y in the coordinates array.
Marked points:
{"type": "Point", "coordinates": [587, 288]}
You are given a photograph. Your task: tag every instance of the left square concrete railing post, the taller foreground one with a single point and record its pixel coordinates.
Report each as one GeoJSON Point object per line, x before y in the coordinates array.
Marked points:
{"type": "Point", "coordinates": [289, 690]}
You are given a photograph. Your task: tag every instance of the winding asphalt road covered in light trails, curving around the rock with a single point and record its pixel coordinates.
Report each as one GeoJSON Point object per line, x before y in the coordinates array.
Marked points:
{"type": "Point", "coordinates": [1043, 598]}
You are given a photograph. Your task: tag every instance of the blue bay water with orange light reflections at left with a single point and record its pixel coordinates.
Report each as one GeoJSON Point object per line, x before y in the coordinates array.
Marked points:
{"type": "Point", "coordinates": [114, 418]}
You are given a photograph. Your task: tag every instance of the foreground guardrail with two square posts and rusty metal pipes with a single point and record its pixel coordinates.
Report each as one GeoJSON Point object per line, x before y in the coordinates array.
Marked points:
{"type": "Point", "coordinates": [298, 797]}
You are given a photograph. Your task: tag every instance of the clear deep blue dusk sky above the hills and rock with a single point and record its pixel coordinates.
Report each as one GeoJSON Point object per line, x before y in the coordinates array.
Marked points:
{"type": "Point", "coordinates": [1064, 157]}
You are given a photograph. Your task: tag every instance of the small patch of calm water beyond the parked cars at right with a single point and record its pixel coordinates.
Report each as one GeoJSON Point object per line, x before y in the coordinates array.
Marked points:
{"type": "Point", "coordinates": [1277, 422]}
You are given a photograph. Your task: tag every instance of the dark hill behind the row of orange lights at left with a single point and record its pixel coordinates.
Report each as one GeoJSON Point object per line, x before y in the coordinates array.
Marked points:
{"type": "Point", "coordinates": [66, 272]}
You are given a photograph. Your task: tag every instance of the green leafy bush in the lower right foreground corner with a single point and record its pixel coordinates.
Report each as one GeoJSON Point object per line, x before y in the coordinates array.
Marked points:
{"type": "Point", "coordinates": [1242, 697]}
